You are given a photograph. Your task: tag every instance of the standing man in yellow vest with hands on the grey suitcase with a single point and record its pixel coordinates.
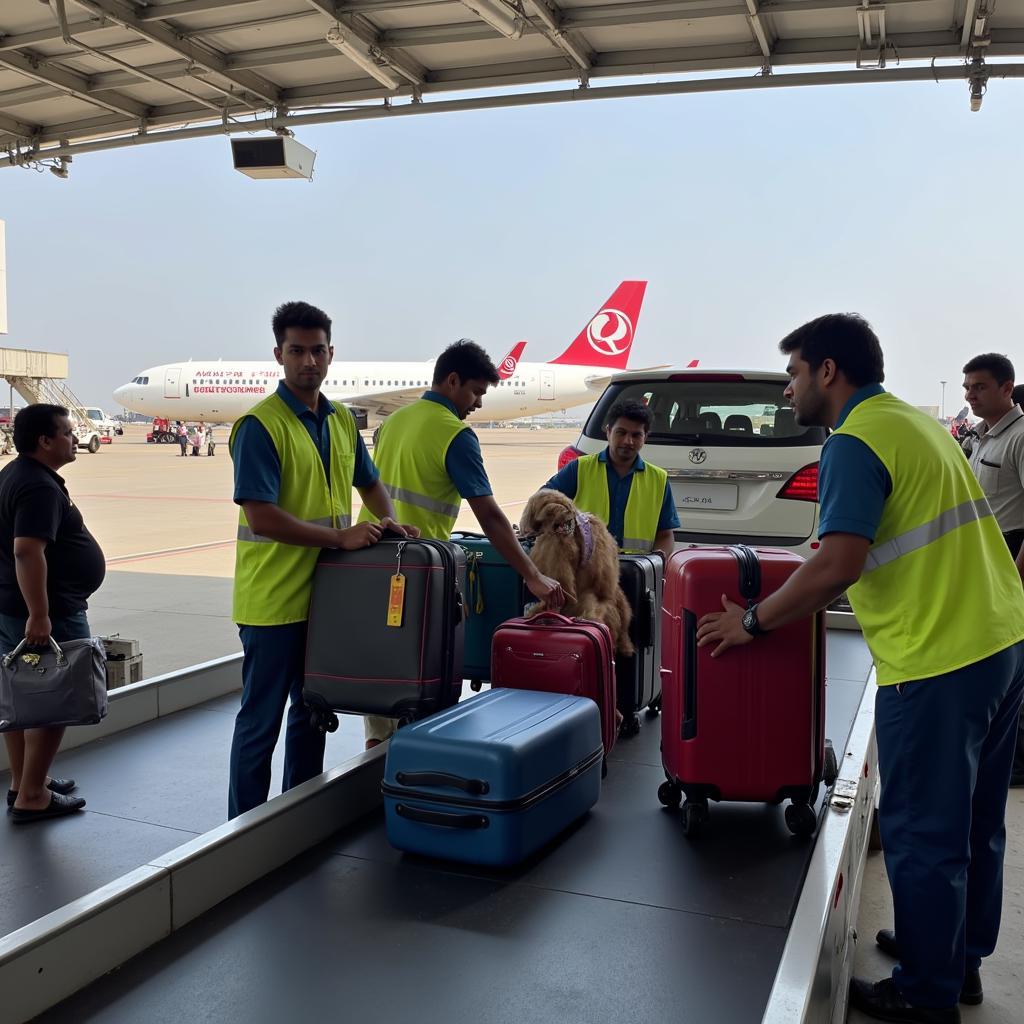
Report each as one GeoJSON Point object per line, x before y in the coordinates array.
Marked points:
{"type": "Point", "coordinates": [297, 457]}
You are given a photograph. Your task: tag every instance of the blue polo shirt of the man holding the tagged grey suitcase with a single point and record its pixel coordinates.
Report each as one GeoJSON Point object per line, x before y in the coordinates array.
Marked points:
{"type": "Point", "coordinates": [258, 466]}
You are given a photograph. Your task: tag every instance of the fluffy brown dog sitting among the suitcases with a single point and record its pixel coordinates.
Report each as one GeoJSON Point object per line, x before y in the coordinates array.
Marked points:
{"type": "Point", "coordinates": [577, 549]}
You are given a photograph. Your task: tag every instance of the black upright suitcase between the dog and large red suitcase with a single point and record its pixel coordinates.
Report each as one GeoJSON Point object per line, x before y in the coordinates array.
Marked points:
{"type": "Point", "coordinates": [639, 677]}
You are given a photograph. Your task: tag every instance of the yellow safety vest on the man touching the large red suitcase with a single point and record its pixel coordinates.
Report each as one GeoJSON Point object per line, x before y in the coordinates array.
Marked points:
{"type": "Point", "coordinates": [940, 590]}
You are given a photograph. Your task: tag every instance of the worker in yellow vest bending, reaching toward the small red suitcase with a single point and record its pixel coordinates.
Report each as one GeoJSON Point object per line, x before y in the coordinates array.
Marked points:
{"type": "Point", "coordinates": [430, 460]}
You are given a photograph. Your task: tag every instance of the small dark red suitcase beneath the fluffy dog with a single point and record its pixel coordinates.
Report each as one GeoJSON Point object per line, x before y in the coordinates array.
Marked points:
{"type": "Point", "coordinates": [559, 655]}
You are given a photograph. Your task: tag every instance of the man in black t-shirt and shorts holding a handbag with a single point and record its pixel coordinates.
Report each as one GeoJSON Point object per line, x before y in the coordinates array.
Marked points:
{"type": "Point", "coordinates": [50, 567]}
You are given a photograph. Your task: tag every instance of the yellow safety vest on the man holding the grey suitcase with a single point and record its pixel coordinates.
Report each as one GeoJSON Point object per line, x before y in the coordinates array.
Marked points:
{"type": "Point", "coordinates": [273, 581]}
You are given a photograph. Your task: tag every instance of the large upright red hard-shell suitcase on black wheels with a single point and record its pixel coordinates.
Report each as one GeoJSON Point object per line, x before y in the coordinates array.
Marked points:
{"type": "Point", "coordinates": [749, 726]}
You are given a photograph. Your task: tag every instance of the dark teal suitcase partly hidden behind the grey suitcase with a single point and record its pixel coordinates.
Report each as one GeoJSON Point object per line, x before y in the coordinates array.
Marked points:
{"type": "Point", "coordinates": [495, 592]}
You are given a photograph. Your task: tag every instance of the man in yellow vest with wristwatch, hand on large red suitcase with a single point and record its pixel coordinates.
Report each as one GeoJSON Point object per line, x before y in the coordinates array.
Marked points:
{"type": "Point", "coordinates": [902, 517]}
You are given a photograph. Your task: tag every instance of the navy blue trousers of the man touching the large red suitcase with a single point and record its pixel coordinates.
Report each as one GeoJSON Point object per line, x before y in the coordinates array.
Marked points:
{"type": "Point", "coordinates": [946, 750]}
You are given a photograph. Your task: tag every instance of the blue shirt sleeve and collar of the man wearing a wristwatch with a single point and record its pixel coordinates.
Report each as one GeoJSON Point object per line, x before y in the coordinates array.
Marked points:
{"type": "Point", "coordinates": [854, 484]}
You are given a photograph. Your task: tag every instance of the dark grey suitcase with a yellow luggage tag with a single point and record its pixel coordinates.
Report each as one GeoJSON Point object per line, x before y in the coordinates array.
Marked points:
{"type": "Point", "coordinates": [356, 662]}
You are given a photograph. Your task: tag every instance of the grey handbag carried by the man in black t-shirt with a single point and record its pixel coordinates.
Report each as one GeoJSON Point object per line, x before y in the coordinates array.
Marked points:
{"type": "Point", "coordinates": [65, 685]}
